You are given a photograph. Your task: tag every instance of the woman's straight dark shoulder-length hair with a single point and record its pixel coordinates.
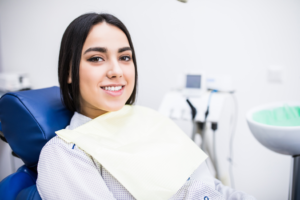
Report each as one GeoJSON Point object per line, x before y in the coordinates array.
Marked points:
{"type": "Point", "coordinates": [70, 56]}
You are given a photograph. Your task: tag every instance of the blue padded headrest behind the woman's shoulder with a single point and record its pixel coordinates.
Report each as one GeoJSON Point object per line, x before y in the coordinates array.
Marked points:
{"type": "Point", "coordinates": [30, 118]}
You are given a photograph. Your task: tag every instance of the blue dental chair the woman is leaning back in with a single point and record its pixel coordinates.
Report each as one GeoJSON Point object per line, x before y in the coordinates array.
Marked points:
{"type": "Point", "coordinates": [29, 120]}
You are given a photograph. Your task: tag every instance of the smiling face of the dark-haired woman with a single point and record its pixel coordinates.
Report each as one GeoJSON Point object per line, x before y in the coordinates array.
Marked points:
{"type": "Point", "coordinates": [106, 72]}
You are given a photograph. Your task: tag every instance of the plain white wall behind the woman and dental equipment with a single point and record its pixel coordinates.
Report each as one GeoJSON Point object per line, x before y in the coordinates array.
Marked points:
{"type": "Point", "coordinates": [241, 38]}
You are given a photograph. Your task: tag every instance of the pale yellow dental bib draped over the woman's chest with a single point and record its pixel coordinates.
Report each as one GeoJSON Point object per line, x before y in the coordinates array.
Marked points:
{"type": "Point", "coordinates": [145, 151]}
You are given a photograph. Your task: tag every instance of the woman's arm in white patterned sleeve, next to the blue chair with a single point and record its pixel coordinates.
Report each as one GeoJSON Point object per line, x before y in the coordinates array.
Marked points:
{"type": "Point", "coordinates": [66, 172]}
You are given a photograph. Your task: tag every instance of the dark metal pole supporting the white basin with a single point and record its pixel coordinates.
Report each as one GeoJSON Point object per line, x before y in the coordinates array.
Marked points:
{"type": "Point", "coordinates": [296, 178]}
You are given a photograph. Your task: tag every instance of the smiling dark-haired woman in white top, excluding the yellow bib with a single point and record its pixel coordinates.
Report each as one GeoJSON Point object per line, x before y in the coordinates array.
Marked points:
{"type": "Point", "coordinates": [98, 74]}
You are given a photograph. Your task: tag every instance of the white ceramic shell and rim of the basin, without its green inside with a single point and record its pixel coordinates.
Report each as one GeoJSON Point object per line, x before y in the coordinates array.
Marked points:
{"type": "Point", "coordinates": [281, 139]}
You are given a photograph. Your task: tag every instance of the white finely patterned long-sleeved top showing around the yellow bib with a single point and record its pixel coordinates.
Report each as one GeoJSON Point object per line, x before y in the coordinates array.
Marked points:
{"type": "Point", "coordinates": [67, 172]}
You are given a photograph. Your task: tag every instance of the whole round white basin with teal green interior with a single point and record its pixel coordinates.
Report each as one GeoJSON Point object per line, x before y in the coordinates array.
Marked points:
{"type": "Point", "coordinates": [277, 127]}
